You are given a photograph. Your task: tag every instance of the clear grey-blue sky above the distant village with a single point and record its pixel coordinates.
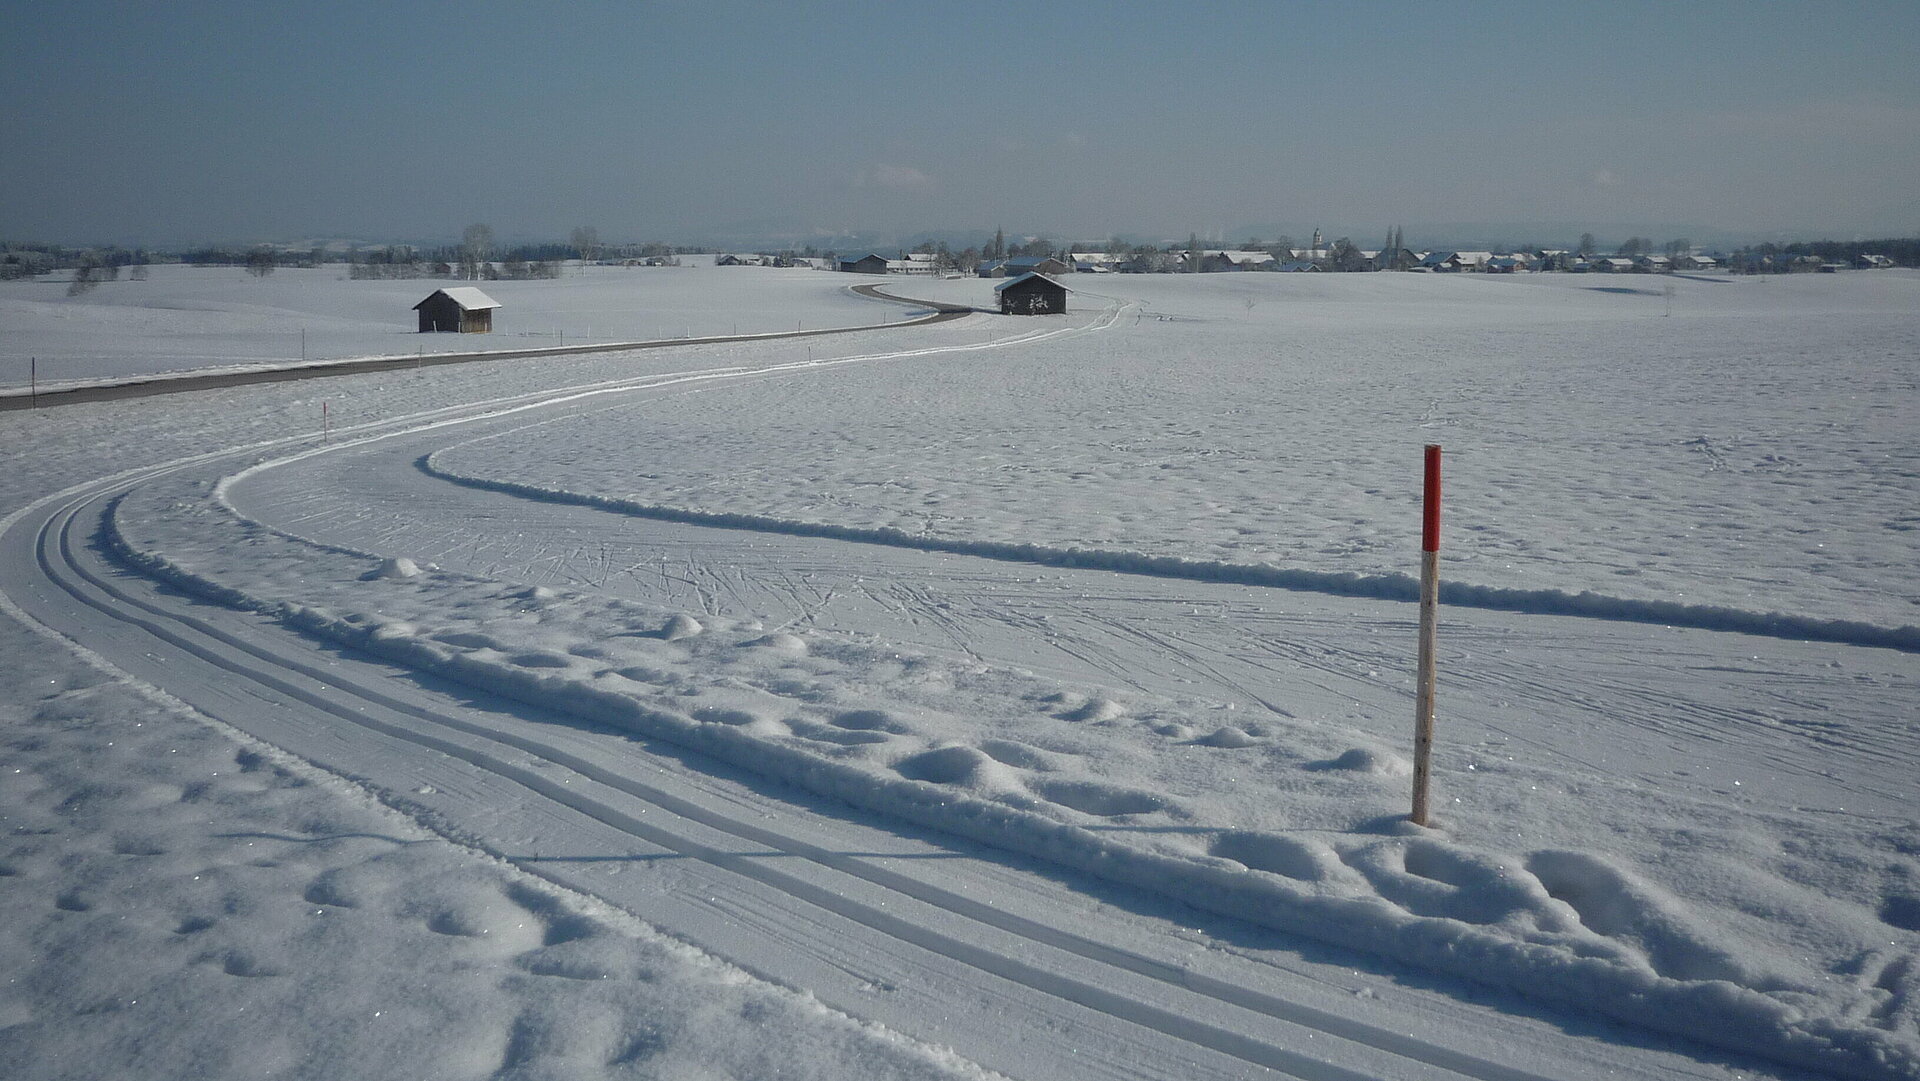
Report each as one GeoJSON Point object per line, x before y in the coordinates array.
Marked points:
{"type": "Point", "coordinates": [256, 120]}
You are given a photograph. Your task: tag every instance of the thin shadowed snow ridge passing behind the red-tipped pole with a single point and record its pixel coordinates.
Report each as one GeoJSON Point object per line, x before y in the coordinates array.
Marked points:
{"type": "Point", "coordinates": [1345, 585]}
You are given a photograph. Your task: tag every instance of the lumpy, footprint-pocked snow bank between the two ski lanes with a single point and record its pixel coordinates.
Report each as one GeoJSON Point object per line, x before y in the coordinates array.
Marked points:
{"type": "Point", "coordinates": [1552, 925]}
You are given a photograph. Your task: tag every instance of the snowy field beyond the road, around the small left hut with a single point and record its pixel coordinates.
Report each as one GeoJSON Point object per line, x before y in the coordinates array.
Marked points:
{"type": "Point", "coordinates": [201, 318]}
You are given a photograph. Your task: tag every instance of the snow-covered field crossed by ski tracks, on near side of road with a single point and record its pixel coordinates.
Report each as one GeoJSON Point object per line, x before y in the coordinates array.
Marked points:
{"type": "Point", "coordinates": [1013, 640]}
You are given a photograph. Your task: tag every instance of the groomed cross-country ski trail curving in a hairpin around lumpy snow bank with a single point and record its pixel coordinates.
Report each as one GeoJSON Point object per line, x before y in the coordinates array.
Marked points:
{"type": "Point", "coordinates": [1015, 965]}
